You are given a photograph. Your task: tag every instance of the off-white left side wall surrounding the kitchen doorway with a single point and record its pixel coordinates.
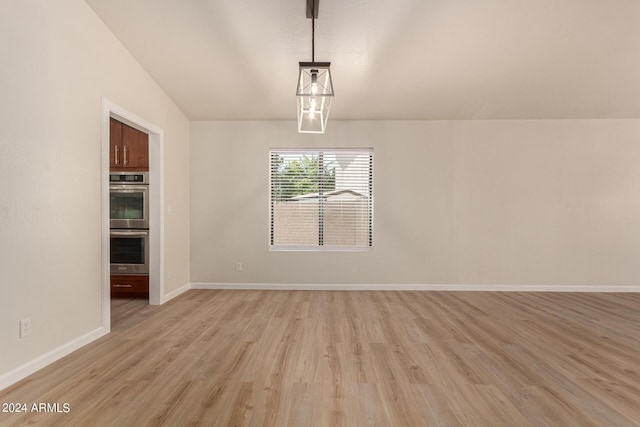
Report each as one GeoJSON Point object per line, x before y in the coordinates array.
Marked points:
{"type": "Point", "coordinates": [58, 60]}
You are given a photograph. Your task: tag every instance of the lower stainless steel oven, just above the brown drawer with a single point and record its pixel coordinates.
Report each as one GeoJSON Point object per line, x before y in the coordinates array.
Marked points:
{"type": "Point", "coordinates": [129, 251]}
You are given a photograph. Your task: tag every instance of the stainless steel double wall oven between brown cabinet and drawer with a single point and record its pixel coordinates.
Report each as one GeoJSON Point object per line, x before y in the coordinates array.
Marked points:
{"type": "Point", "coordinates": [129, 222]}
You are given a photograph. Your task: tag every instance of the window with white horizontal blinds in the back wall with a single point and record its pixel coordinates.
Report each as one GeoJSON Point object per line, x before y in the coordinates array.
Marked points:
{"type": "Point", "coordinates": [321, 199]}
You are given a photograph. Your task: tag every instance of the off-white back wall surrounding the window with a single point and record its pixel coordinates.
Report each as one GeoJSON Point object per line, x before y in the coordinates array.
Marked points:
{"type": "Point", "coordinates": [551, 203]}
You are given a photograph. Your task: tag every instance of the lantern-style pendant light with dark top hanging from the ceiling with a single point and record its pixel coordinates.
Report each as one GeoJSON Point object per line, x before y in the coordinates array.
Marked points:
{"type": "Point", "coordinates": [315, 88]}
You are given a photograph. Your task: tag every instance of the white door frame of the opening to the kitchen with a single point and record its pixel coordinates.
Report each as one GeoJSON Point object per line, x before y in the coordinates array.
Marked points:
{"type": "Point", "coordinates": [156, 203]}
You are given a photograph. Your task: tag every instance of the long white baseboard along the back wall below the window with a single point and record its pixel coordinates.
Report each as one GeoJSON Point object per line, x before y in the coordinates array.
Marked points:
{"type": "Point", "coordinates": [417, 287]}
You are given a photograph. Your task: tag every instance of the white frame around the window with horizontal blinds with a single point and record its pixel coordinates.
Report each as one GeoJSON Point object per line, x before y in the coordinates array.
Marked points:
{"type": "Point", "coordinates": [321, 247]}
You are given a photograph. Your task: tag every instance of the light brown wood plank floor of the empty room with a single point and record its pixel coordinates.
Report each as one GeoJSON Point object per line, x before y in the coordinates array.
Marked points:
{"type": "Point", "coordinates": [323, 358]}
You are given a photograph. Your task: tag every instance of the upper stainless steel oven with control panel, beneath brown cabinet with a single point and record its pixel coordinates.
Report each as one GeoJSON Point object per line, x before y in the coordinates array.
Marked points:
{"type": "Point", "coordinates": [129, 200]}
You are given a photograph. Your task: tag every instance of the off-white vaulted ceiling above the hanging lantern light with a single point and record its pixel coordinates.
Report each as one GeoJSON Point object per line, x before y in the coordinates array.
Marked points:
{"type": "Point", "coordinates": [390, 59]}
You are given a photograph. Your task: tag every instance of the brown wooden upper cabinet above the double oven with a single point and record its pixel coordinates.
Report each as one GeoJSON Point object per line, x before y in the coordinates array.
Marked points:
{"type": "Point", "coordinates": [128, 148]}
